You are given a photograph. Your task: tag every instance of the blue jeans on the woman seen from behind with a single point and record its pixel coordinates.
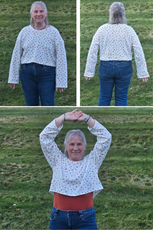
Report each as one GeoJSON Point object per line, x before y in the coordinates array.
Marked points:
{"type": "Point", "coordinates": [118, 74]}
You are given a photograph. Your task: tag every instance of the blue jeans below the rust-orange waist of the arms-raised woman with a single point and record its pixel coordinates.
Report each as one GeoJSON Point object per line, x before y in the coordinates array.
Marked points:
{"type": "Point", "coordinates": [85, 219]}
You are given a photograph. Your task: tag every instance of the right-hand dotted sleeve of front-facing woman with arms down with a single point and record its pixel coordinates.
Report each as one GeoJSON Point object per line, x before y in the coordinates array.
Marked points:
{"type": "Point", "coordinates": [61, 63]}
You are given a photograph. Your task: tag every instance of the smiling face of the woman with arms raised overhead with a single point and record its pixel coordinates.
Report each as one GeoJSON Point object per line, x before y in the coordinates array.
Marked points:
{"type": "Point", "coordinates": [75, 149]}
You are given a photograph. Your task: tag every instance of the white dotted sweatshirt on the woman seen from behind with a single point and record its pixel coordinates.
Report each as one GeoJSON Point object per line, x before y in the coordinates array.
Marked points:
{"type": "Point", "coordinates": [115, 42]}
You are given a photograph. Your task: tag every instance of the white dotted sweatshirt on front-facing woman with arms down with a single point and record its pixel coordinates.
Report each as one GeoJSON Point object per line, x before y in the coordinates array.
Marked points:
{"type": "Point", "coordinates": [45, 47]}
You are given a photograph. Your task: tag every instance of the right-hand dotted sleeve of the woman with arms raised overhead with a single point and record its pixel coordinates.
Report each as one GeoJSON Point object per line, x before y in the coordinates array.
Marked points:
{"type": "Point", "coordinates": [102, 145]}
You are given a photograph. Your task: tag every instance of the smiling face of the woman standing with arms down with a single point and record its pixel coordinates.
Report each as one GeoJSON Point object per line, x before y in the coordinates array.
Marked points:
{"type": "Point", "coordinates": [39, 14]}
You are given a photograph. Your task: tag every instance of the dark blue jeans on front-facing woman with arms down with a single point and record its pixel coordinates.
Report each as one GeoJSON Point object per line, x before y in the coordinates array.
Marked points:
{"type": "Point", "coordinates": [38, 81]}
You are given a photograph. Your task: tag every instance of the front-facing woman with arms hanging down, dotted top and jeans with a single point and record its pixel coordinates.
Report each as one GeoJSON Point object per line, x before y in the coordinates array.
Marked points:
{"type": "Point", "coordinates": [40, 50]}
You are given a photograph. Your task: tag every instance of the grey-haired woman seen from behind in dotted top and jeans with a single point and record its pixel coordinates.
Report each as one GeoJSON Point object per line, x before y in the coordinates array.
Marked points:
{"type": "Point", "coordinates": [115, 41]}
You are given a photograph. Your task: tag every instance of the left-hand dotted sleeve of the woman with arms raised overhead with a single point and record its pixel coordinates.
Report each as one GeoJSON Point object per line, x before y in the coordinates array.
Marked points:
{"type": "Point", "coordinates": [48, 145]}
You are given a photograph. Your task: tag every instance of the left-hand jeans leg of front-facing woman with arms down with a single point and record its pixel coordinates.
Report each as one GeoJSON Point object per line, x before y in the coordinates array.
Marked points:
{"type": "Point", "coordinates": [29, 85]}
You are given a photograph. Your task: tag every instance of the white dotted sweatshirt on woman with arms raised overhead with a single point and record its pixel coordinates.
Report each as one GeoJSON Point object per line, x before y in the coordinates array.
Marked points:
{"type": "Point", "coordinates": [74, 178]}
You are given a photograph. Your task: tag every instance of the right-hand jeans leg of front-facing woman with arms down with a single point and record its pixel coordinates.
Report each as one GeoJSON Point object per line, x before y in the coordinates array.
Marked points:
{"type": "Point", "coordinates": [46, 85]}
